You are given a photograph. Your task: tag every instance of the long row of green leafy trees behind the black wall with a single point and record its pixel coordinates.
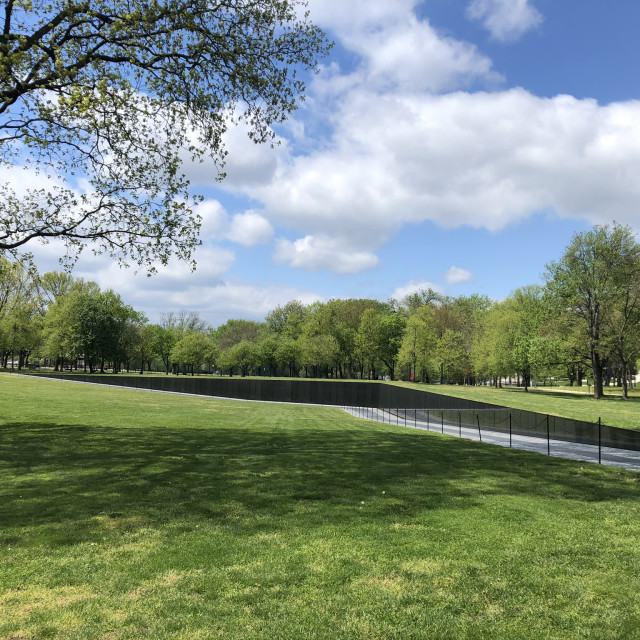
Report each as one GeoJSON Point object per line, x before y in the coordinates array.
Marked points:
{"type": "Point", "coordinates": [582, 324]}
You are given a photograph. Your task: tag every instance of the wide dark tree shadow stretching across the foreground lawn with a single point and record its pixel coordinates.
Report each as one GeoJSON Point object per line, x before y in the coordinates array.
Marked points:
{"type": "Point", "coordinates": [52, 474]}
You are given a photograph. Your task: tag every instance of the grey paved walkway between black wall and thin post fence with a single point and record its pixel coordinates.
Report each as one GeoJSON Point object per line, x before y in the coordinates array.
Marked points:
{"type": "Point", "coordinates": [574, 451]}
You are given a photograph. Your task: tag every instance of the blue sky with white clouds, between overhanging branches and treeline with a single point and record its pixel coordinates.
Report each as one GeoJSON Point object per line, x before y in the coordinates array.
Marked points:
{"type": "Point", "coordinates": [457, 144]}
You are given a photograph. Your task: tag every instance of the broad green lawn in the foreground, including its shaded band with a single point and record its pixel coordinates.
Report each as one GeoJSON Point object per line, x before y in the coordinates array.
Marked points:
{"type": "Point", "coordinates": [126, 514]}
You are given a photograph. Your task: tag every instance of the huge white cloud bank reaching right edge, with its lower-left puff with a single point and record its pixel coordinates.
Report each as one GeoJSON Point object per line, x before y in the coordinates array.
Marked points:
{"type": "Point", "coordinates": [481, 159]}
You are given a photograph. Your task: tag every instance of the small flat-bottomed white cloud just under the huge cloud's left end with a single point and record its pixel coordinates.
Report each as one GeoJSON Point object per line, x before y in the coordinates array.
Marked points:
{"type": "Point", "coordinates": [323, 253]}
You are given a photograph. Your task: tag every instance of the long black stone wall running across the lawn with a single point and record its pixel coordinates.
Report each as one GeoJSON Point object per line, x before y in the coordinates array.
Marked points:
{"type": "Point", "coordinates": [423, 405]}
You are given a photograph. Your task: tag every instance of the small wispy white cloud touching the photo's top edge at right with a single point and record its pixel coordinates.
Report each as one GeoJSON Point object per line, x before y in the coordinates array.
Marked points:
{"type": "Point", "coordinates": [506, 20]}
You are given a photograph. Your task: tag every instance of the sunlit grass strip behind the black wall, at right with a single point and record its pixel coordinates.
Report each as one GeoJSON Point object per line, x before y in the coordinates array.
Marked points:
{"type": "Point", "coordinates": [613, 410]}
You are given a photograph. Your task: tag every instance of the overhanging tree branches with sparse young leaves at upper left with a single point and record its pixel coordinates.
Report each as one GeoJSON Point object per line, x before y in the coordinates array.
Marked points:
{"type": "Point", "coordinates": [104, 101]}
